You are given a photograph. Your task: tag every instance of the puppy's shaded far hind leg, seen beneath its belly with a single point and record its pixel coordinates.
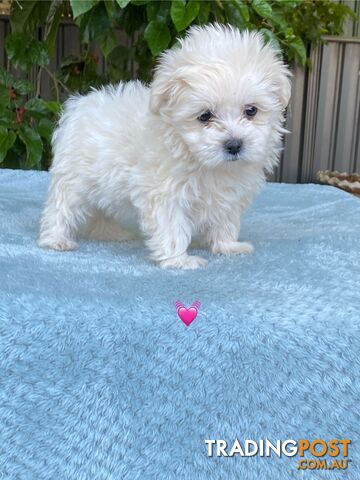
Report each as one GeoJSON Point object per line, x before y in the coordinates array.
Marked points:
{"type": "Point", "coordinates": [106, 229]}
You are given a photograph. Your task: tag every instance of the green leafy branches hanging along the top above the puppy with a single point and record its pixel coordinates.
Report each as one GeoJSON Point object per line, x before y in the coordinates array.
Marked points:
{"type": "Point", "coordinates": [152, 26]}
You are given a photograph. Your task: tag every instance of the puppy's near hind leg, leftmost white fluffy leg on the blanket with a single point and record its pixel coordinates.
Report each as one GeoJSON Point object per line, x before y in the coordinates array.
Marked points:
{"type": "Point", "coordinates": [64, 212]}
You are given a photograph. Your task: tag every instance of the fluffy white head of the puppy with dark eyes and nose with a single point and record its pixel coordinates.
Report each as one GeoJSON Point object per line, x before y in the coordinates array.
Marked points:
{"type": "Point", "coordinates": [225, 93]}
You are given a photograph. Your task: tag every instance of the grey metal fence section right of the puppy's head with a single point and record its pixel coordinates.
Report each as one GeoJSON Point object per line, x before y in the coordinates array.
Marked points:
{"type": "Point", "coordinates": [332, 108]}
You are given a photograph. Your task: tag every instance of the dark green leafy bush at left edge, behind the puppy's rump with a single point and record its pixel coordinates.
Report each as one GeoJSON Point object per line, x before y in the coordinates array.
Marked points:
{"type": "Point", "coordinates": [25, 125]}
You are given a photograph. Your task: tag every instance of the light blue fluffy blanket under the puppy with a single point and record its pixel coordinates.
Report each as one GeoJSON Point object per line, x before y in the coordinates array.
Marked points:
{"type": "Point", "coordinates": [100, 379]}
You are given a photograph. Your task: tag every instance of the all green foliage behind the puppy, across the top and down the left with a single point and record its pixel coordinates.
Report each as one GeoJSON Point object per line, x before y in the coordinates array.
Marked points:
{"type": "Point", "coordinates": [149, 27]}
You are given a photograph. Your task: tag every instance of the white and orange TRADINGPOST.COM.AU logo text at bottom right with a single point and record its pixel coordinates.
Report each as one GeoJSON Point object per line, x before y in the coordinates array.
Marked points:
{"type": "Point", "coordinates": [327, 455]}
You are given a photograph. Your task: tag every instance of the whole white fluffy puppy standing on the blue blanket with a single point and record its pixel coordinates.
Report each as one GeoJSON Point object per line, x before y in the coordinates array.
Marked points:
{"type": "Point", "coordinates": [183, 157]}
